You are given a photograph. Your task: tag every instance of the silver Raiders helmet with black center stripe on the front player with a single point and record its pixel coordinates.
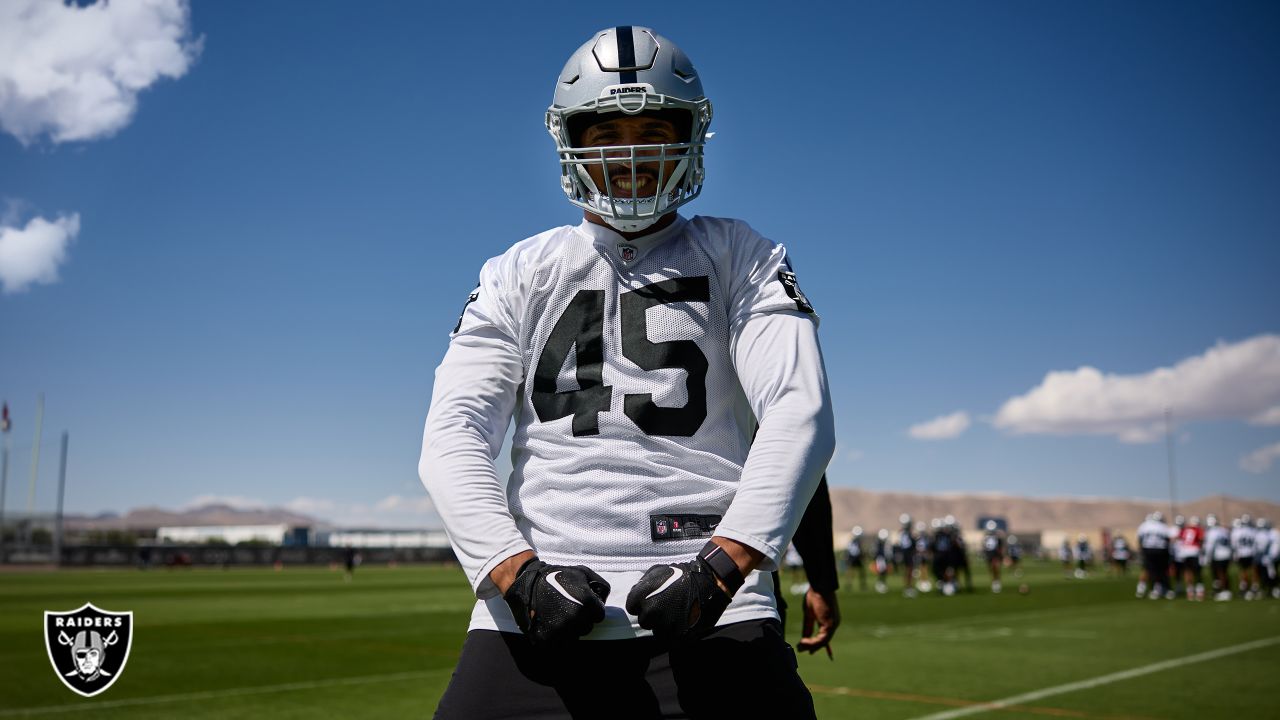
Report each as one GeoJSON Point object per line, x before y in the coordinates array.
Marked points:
{"type": "Point", "coordinates": [629, 70]}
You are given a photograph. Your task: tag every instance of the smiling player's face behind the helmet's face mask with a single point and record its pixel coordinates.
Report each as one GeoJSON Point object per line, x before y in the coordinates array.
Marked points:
{"type": "Point", "coordinates": [632, 130]}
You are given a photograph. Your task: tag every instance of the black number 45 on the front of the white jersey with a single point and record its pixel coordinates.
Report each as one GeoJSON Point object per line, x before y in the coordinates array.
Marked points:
{"type": "Point", "coordinates": [582, 329]}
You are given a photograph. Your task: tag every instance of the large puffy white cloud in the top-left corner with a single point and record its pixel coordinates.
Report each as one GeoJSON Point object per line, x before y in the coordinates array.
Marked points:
{"type": "Point", "coordinates": [75, 74]}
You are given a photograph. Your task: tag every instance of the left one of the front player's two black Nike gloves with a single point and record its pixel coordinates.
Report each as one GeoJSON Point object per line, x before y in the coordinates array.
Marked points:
{"type": "Point", "coordinates": [556, 603]}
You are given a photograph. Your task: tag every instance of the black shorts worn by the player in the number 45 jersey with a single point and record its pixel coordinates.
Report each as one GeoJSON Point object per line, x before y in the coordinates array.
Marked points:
{"type": "Point", "coordinates": [504, 676]}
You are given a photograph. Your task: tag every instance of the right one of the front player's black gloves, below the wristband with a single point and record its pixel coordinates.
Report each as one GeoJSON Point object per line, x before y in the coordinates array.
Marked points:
{"type": "Point", "coordinates": [678, 601]}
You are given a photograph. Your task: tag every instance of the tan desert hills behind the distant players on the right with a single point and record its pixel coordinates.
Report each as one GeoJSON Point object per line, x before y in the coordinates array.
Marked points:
{"type": "Point", "coordinates": [875, 511]}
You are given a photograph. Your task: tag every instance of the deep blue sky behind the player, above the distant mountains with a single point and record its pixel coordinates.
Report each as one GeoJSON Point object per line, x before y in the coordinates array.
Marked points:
{"type": "Point", "coordinates": [275, 244]}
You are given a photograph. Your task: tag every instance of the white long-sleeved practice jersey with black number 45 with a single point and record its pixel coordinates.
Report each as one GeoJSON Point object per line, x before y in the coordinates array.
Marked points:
{"type": "Point", "coordinates": [636, 372]}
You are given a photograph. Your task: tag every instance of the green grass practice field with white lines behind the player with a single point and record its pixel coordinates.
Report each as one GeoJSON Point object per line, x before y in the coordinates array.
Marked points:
{"type": "Point", "coordinates": [304, 644]}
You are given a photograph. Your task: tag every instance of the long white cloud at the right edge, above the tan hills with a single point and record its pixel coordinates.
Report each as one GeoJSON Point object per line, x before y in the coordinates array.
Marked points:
{"type": "Point", "coordinates": [1228, 381]}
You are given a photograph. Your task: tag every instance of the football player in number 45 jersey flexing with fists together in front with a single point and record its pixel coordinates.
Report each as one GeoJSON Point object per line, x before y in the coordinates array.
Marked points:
{"type": "Point", "coordinates": [628, 555]}
